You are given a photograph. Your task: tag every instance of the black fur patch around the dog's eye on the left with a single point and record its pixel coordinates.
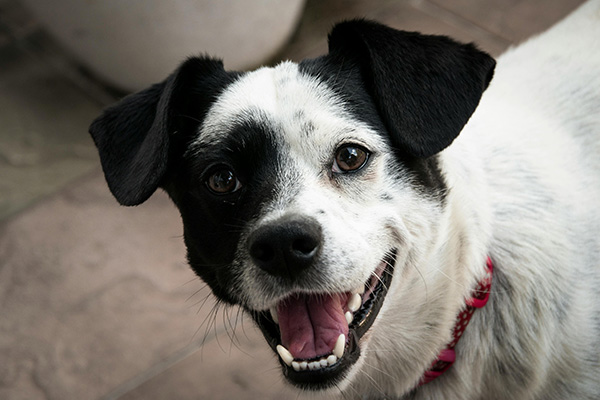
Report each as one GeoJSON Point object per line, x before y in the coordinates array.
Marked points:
{"type": "Point", "coordinates": [213, 224]}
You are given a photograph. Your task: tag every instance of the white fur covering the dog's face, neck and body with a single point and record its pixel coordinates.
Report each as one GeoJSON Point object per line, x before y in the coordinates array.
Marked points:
{"type": "Point", "coordinates": [524, 179]}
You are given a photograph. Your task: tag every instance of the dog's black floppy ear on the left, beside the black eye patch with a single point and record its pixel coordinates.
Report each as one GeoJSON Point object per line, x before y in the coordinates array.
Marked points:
{"type": "Point", "coordinates": [136, 136]}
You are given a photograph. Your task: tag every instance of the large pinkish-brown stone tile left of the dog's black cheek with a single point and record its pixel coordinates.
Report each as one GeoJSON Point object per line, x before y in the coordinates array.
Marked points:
{"type": "Point", "coordinates": [93, 294]}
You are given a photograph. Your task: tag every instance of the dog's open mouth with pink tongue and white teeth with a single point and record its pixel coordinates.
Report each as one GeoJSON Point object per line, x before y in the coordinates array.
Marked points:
{"type": "Point", "coordinates": [317, 335]}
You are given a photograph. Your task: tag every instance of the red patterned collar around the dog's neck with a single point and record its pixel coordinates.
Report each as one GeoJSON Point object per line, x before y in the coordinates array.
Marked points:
{"type": "Point", "coordinates": [446, 358]}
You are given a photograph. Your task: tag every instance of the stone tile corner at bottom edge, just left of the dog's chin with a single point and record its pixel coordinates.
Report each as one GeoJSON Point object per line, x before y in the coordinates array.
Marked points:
{"type": "Point", "coordinates": [246, 370]}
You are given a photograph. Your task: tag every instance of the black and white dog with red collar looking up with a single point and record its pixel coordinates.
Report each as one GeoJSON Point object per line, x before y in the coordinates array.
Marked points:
{"type": "Point", "coordinates": [336, 203]}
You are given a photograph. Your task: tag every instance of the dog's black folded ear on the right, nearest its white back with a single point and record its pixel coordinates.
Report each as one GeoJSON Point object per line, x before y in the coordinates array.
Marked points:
{"type": "Point", "coordinates": [424, 87]}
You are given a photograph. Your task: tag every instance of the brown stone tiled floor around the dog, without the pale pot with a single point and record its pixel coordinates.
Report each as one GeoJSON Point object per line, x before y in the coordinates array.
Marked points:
{"type": "Point", "coordinates": [96, 300]}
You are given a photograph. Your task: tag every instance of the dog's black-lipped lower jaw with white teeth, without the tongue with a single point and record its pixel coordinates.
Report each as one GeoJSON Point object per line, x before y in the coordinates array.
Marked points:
{"type": "Point", "coordinates": [304, 372]}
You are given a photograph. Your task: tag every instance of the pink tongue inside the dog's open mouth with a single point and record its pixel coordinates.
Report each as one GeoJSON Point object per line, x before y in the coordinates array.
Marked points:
{"type": "Point", "coordinates": [311, 324]}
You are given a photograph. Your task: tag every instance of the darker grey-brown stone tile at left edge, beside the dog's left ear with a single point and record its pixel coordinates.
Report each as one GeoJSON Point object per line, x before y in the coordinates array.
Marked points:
{"type": "Point", "coordinates": [43, 141]}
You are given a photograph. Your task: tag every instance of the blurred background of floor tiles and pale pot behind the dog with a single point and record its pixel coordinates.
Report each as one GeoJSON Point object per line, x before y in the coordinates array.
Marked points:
{"type": "Point", "coordinates": [96, 300]}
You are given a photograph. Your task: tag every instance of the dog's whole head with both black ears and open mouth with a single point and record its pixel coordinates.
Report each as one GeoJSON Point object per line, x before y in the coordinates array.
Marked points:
{"type": "Point", "coordinates": [309, 191]}
